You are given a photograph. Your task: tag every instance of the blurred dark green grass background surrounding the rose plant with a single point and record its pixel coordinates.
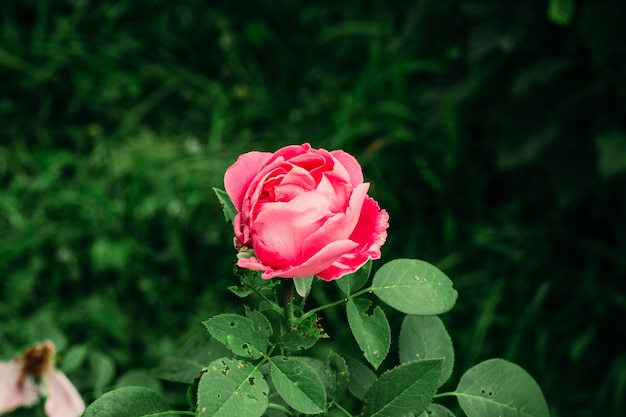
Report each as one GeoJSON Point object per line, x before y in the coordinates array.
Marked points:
{"type": "Point", "coordinates": [493, 132]}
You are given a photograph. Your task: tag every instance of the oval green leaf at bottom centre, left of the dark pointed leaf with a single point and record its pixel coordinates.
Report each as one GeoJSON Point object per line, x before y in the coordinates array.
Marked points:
{"type": "Point", "coordinates": [298, 384]}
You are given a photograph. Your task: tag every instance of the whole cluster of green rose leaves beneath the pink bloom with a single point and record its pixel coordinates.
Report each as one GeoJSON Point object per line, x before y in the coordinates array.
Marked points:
{"type": "Point", "coordinates": [268, 374]}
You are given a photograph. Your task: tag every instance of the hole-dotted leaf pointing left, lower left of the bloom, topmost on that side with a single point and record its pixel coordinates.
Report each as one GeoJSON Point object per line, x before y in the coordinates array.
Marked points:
{"type": "Point", "coordinates": [241, 335]}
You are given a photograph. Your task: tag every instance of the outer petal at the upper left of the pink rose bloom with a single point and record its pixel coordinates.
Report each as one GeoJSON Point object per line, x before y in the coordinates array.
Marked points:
{"type": "Point", "coordinates": [239, 175]}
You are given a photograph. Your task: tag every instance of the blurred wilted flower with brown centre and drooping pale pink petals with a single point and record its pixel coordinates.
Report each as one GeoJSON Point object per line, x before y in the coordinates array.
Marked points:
{"type": "Point", "coordinates": [25, 378]}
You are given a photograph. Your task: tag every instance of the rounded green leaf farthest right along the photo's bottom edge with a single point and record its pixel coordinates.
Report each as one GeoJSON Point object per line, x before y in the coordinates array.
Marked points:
{"type": "Point", "coordinates": [497, 387]}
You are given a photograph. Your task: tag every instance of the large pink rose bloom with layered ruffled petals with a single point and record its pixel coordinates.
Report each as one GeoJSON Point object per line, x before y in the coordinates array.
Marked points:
{"type": "Point", "coordinates": [304, 212]}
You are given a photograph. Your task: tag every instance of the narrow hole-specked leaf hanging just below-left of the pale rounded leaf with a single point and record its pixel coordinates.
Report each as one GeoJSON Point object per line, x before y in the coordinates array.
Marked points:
{"type": "Point", "coordinates": [371, 331]}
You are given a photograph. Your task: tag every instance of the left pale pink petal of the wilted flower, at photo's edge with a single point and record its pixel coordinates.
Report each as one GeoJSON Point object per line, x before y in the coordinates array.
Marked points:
{"type": "Point", "coordinates": [12, 395]}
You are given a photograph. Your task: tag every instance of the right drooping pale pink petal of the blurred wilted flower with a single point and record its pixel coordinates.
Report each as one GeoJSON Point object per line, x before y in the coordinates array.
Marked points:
{"type": "Point", "coordinates": [63, 399]}
